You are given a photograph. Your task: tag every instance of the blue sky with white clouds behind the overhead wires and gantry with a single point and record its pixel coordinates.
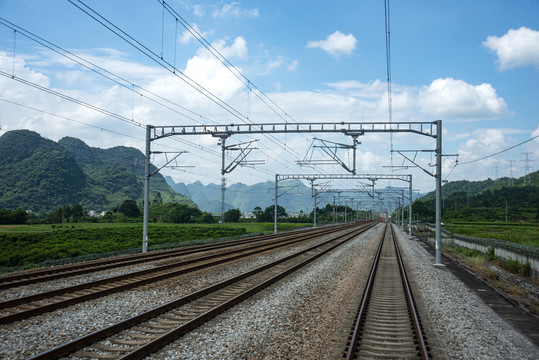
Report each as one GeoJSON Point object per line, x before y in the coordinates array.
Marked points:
{"type": "Point", "coordinates": [473, 64]}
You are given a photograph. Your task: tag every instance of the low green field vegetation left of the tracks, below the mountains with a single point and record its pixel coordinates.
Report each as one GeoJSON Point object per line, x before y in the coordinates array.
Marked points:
{"type": "Point", "coordinates": [71, 240]}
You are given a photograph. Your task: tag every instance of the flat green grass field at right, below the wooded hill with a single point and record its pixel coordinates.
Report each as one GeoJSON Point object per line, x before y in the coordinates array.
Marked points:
{"type": "Point", "coordinates": [521, 233]}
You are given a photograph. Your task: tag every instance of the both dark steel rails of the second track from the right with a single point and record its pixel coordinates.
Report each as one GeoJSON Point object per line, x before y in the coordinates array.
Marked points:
{"type": "Point", "coordinates": [152, 346]}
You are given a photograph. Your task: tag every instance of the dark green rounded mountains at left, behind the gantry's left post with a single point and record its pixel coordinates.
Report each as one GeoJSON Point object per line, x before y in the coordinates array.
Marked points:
{"type": "Point", "coordinates": [40, 174]}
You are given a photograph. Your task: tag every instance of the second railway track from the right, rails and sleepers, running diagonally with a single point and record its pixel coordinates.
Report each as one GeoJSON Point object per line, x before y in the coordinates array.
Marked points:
{"type": "Point", "coordinates": [146, 333]}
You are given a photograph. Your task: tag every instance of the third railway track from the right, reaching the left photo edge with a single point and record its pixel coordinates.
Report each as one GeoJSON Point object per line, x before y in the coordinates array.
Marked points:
{"type": "Point", "coordinates": [32, 305]}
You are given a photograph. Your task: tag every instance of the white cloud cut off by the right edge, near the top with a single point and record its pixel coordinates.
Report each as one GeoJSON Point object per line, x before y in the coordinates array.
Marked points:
{"type": "Point", "coordinates": [515, 49]}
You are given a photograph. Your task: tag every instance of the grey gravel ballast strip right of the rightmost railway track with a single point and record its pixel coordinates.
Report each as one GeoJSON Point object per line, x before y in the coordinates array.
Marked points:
{"type": "Point", "coordinates": [465, 326]}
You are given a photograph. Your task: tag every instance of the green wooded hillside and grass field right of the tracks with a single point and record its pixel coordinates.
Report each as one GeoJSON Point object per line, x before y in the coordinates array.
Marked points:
{"type": "Point", "coordinates": [504, 209]}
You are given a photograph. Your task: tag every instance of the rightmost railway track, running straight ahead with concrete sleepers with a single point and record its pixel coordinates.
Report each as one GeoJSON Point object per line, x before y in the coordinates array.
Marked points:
{"type": "Point", "coordinates": [387, 324]}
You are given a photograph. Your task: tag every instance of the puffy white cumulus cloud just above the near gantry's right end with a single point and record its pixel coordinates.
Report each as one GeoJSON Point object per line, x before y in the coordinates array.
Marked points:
{"type": "Point", "coordinates": [457, 100]}
